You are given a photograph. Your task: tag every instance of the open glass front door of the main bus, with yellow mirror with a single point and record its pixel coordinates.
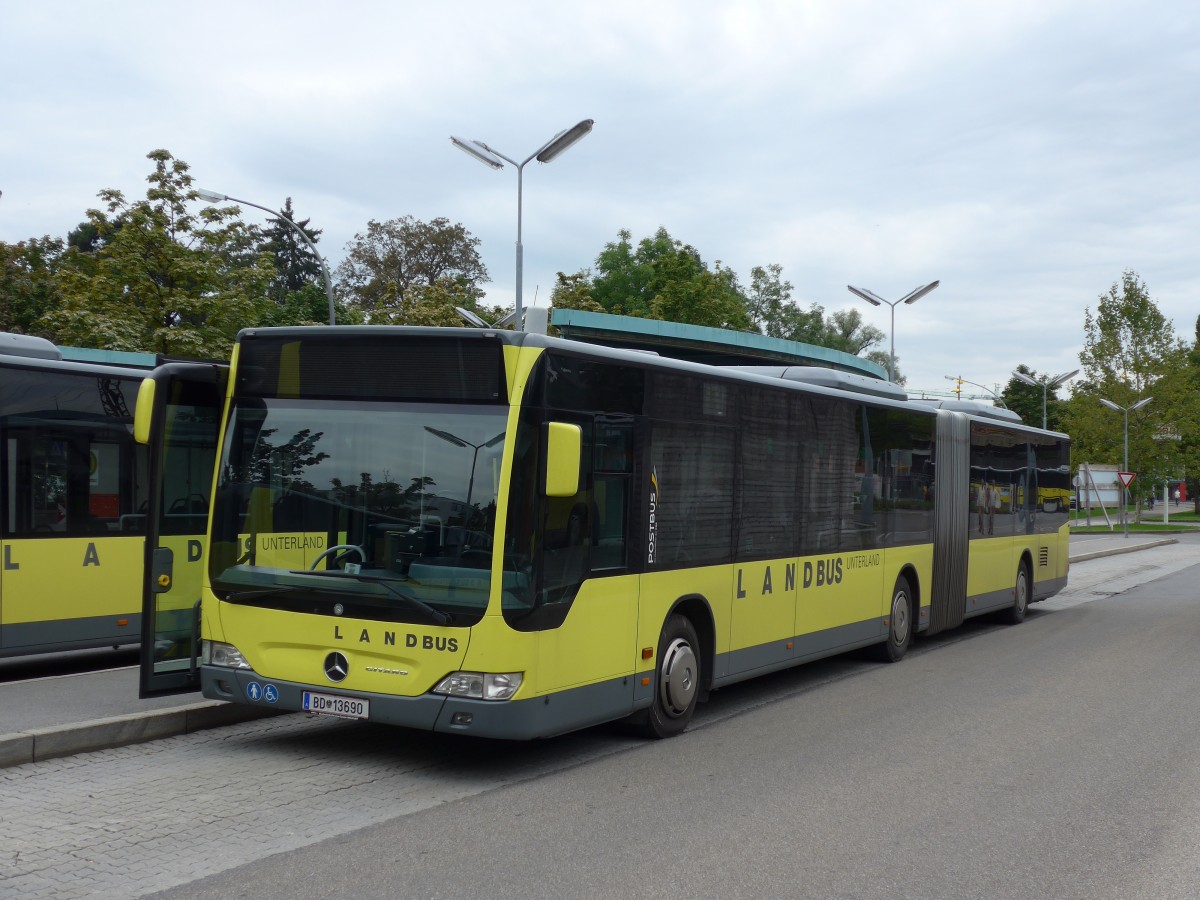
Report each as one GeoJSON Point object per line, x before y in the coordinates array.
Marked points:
{"type": "Point", "coordinates": [179, 419]}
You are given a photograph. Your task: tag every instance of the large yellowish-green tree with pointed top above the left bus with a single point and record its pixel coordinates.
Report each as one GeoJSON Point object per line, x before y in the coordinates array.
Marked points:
{"type": "Point", "coordinates": [163, 279]}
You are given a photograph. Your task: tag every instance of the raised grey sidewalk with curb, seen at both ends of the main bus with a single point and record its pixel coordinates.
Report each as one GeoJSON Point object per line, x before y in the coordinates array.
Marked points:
{"type": "Point", "coordinates": [46, 718]}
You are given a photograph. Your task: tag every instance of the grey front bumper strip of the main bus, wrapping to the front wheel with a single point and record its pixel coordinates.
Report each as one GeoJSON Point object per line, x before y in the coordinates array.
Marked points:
{"type": "Point", "coordinates": [520, 721]}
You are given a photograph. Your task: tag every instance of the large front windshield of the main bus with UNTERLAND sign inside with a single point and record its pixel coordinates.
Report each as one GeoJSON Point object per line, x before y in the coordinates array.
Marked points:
{"type": "Point", "coordinates": [385, 509]}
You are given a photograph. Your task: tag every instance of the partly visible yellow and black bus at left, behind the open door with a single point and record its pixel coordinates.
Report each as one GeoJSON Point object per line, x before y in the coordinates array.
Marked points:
{"type": "Point", "coordinates": [73, 502]}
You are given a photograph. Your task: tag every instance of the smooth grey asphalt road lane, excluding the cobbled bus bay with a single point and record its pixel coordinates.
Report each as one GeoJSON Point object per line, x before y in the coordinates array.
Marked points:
{"type": "Point", "coordinates": [1055, 759]}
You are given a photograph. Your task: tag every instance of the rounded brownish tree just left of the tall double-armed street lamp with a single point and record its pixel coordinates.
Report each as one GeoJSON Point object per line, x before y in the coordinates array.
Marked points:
{"type": "Point", "coordinates": [388, 271]}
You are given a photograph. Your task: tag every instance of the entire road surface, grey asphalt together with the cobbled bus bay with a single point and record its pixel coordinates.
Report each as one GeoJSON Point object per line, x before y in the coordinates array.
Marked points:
{"type": "Point", "coordinates": [1053, 759]}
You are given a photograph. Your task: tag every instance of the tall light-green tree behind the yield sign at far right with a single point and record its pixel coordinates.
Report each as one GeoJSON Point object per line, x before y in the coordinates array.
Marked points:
{"type": "Point", "coordinates": [1131, 353]}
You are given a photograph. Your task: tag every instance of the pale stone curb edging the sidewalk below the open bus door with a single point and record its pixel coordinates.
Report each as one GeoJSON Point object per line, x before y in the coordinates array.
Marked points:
{"type": "Point", "coordinates": [39, 745]}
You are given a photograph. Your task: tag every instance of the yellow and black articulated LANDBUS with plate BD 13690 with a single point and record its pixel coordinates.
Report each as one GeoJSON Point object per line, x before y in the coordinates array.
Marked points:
{"type": "Point", "coordinates": [515, 536]}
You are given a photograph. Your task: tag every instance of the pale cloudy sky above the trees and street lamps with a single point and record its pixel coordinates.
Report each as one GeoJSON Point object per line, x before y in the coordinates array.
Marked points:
{"type": "Point", "coordinates": [1023, 154]}
